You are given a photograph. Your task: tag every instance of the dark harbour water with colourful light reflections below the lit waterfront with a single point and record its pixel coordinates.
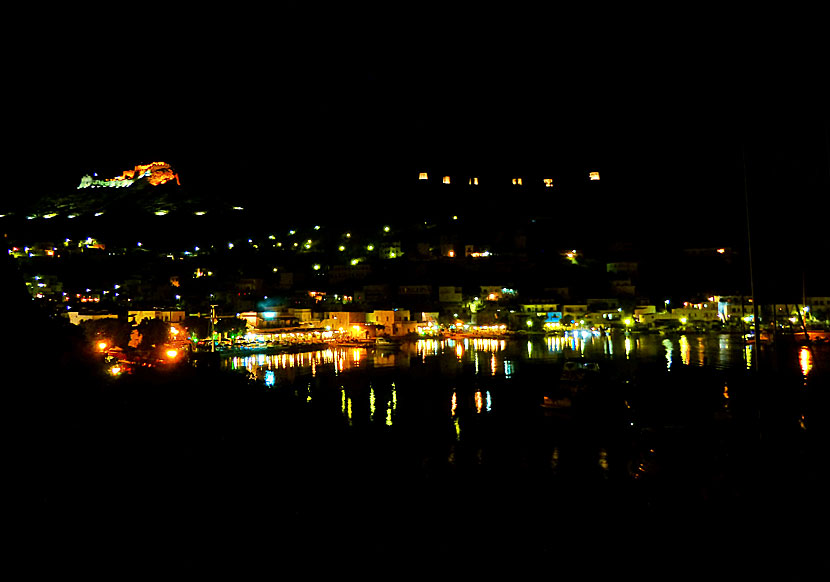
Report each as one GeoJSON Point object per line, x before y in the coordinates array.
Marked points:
{"type": "Point", "coordinates": [680, 457]}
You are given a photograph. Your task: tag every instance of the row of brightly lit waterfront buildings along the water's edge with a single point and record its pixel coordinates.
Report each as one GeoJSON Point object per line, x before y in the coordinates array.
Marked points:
{"type": "Point", "coordinates": [494, 311]}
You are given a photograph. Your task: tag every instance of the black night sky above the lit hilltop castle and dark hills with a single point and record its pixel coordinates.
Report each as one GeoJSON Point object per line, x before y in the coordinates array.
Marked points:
{"type": "Point", "coordinates": [287, 110]}
